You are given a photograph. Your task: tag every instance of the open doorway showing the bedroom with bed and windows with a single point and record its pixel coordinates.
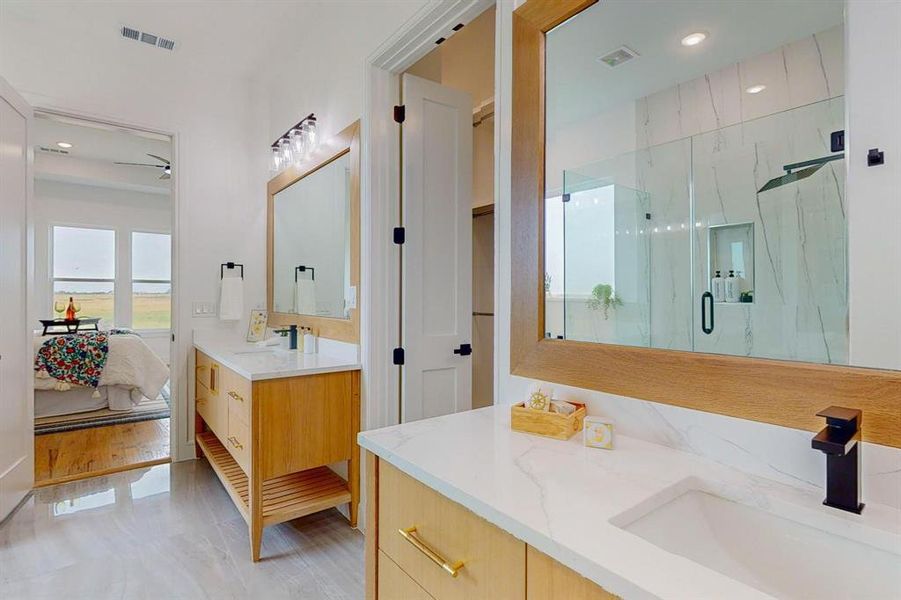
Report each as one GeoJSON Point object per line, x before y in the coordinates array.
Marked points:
{"type": "Point", "coordinates": [103, 298]}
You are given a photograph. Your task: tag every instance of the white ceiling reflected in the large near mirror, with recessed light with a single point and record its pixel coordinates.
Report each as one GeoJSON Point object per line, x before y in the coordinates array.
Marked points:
{"type": "Point", "coordinates": [578, 85]}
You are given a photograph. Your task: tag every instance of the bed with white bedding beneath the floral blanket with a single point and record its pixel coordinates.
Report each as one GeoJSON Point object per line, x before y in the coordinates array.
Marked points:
{"type": "Point", "coordinates": [131, 373]}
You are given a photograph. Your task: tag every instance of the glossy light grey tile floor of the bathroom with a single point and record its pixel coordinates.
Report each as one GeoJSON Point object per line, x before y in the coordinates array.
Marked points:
{"type": "Point", "coordinates": [168, 531]}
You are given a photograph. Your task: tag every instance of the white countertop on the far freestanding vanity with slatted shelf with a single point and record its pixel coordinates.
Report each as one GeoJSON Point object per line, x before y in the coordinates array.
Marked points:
{"type": "Point", "coordinates": [257, 363]}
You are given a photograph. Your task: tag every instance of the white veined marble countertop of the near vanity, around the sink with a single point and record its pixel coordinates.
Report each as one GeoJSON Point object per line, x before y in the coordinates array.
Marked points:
{"type": "Point", "coordinates": [559, 497]}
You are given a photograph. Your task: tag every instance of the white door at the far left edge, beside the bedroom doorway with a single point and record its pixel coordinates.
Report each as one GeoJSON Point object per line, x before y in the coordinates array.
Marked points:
{"type": "Point", "coordinates": [16, 355]}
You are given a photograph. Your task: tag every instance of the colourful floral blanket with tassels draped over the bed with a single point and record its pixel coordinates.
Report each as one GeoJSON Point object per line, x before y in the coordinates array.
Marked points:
{"type": "Point", "coordinates": [77, 359]}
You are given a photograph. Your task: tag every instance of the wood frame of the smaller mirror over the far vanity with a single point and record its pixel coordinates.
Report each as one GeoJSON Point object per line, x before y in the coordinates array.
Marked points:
{"type": "Point", "coordinates": [345, 142]}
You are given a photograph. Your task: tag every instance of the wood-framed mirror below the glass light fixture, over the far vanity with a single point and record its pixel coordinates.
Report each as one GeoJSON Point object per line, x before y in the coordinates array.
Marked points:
{"type": "Point", "coordinates": [313, 240]}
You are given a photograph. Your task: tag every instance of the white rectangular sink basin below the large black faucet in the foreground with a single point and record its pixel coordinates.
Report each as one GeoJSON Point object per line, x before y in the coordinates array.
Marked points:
{"type": "Point", "coordinates": [777, 555]}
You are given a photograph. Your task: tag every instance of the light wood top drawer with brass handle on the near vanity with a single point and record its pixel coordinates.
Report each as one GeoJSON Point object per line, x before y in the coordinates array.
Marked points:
{"type": "Point", "coordinates": [493, 561]}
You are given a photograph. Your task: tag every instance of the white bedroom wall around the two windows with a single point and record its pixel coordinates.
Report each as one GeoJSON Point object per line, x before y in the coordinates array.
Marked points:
{"type": "Point", "coordinates": [59, 203]}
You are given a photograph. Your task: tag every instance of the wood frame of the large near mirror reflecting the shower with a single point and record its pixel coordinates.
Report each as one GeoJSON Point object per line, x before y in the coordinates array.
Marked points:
{"type": "Point", "coordinates": [771, 391]}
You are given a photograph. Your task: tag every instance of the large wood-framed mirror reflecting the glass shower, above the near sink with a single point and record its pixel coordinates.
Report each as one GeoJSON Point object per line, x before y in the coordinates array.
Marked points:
{"type": "Point", "coordinates": [582, 84]}
